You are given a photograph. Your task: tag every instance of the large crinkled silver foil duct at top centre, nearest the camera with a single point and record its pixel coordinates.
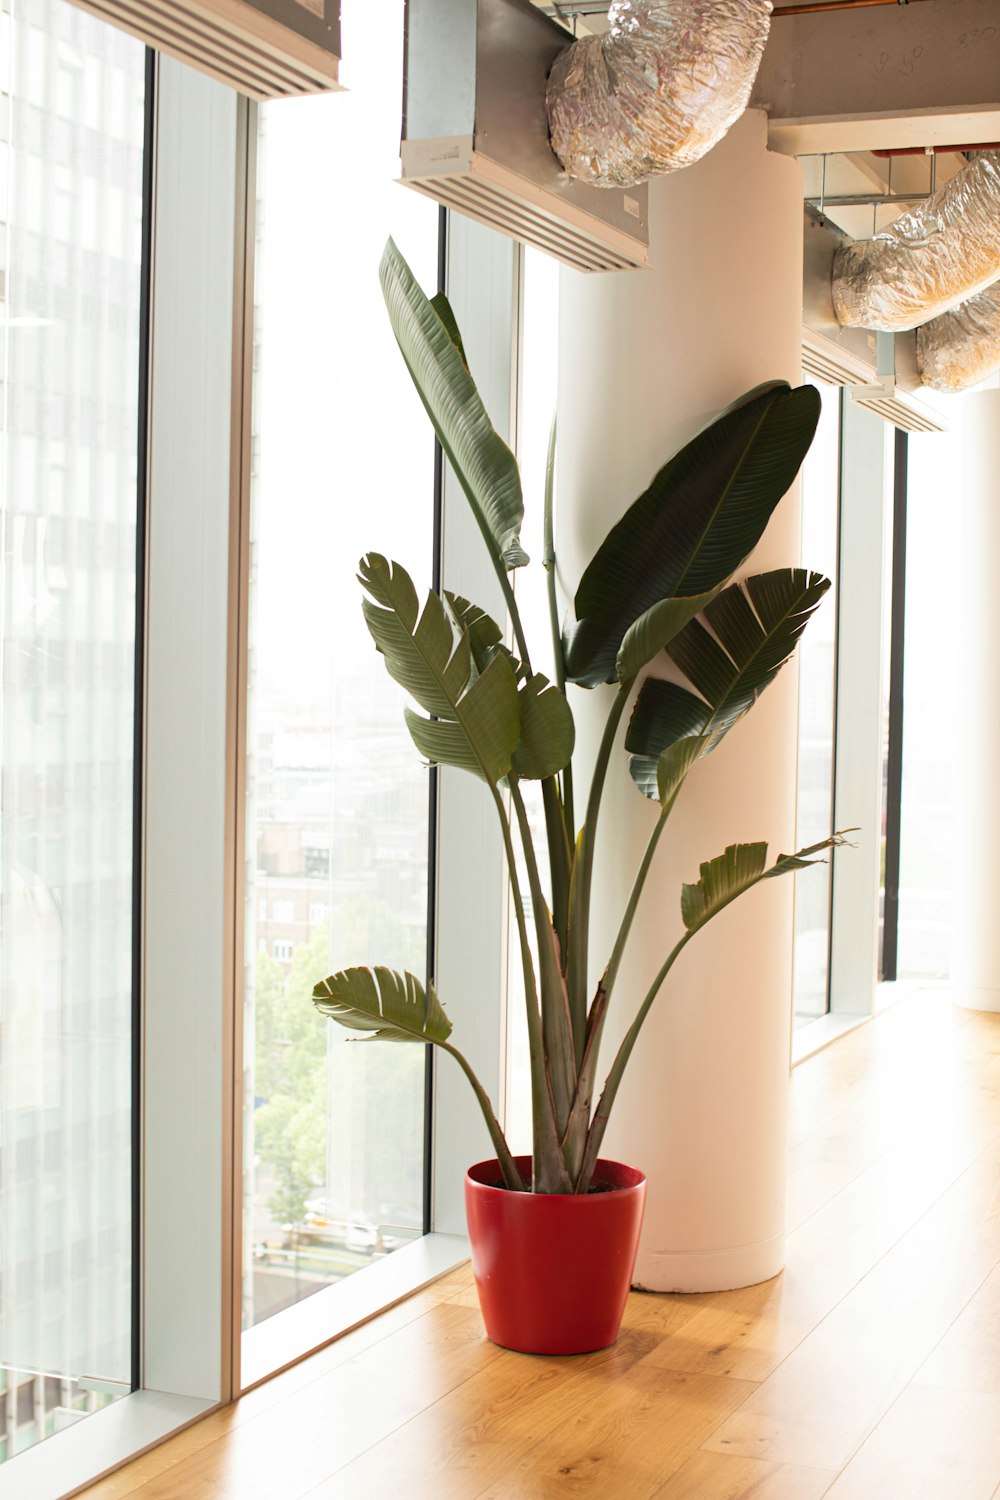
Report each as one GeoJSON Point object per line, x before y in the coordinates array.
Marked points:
{"type": "Point", "coordinates": [659, 91]}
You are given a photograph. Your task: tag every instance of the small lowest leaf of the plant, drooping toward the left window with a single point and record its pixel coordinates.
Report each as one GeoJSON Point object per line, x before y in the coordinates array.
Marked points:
{"type": "Point", "coordinates": [383, 1003]}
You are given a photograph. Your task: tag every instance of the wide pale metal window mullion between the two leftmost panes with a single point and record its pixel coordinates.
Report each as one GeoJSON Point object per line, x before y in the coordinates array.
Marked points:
{"type": "Point", "coordinates": [188, 911]}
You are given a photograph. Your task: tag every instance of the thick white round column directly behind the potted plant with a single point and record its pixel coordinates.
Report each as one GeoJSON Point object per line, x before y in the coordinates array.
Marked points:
{"type": "Point", "coordinates": [647, 359]}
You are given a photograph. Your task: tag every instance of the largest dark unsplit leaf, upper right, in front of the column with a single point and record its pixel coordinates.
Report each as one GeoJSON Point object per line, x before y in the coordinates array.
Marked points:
{"type": "Point", "coordinates": [699, 520]}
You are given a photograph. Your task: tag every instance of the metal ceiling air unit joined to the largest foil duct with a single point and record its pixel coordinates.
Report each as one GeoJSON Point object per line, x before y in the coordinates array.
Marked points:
{"type": "Point", "coordinates": [476, 136]}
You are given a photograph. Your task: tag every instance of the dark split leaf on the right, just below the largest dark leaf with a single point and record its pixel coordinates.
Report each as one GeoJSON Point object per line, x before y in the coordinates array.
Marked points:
{"type": "Point", "coordinates": [756, 628]}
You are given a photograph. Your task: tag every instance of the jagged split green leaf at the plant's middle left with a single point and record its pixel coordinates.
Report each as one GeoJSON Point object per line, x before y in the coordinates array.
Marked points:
{"type": "Point", "coordinates": [478, 722]}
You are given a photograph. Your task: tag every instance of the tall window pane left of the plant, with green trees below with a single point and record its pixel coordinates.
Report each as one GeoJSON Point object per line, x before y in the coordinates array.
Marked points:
{"type": "Point", "coordinates": [338, 797]}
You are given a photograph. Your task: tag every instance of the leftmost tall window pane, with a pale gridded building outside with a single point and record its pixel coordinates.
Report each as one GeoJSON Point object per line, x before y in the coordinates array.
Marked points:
{"type": "Point", "coordinates": [71, 221]}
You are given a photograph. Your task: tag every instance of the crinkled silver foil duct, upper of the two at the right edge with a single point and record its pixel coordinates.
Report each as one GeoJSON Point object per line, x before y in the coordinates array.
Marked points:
{"type": "Point", "coordinates": [932, 259]}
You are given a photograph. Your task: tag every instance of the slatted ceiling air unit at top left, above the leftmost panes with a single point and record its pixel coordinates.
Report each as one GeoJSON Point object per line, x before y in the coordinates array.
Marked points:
{"type": "Point", "coordinates": [265, 49]}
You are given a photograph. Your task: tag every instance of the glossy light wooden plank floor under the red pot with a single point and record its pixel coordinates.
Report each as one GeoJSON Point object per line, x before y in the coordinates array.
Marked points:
{"type": "Point", "coordinates": [869, 1372]}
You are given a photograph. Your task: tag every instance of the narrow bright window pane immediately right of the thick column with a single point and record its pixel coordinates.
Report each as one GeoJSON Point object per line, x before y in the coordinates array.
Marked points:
{"type": "Point", "coordinates": [818, 712]}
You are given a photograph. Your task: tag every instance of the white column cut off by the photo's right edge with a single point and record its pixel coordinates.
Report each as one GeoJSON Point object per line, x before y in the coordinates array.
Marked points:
{"type": "Point", "coordinates": [977, 922]}
